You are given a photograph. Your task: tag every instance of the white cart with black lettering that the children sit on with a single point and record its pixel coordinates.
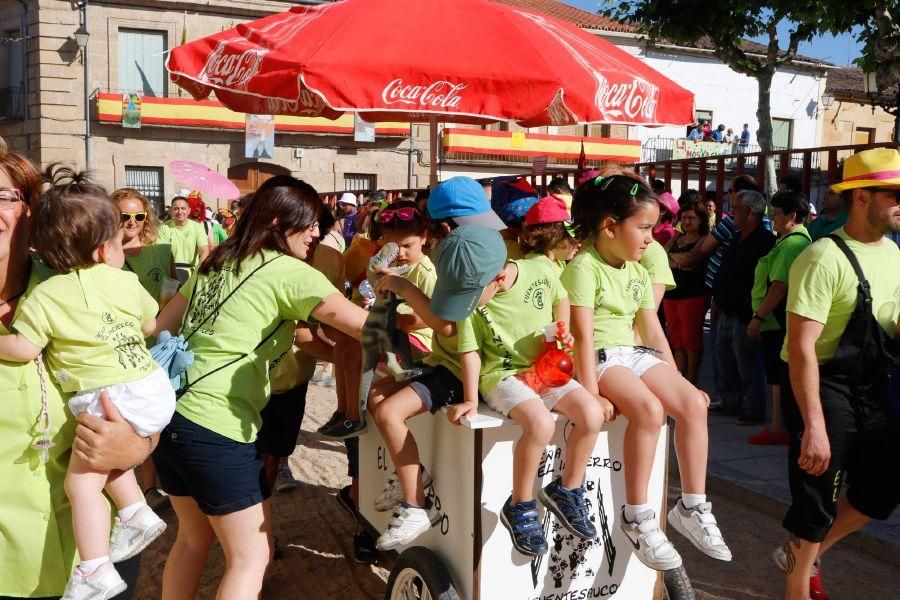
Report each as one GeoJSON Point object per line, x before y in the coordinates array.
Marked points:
{"type": "Point", "coordinates": [469, 555]}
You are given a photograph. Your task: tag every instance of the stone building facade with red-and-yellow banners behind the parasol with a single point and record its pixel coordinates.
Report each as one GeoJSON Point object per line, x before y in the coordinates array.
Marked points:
{"type": "Point", "coordinates": [43, 114]}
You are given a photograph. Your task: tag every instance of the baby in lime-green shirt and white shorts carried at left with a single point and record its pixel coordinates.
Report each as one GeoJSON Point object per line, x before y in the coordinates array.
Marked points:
{"type": "Point", "coordinates": [92, 318]}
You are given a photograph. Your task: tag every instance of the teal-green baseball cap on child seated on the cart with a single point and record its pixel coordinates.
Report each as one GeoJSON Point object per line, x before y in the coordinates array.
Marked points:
{"type": "Point", "coordinates": [466, 261]}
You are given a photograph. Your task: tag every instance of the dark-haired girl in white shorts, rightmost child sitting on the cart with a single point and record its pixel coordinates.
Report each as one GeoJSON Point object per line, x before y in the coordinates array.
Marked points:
{"type": "Point", "coordinates": [610, 292]}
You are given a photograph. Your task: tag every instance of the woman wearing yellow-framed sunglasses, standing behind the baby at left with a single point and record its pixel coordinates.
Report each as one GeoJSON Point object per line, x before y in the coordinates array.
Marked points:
{"type": "Point", "coordinates": [151, 262]}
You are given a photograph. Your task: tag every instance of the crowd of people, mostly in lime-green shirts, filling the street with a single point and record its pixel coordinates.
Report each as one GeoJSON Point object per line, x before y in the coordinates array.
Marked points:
{"type": "Point", "coordinates": [109, 316]}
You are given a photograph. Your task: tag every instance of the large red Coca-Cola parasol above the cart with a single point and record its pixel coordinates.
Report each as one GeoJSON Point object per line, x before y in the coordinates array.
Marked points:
{"type": "Point", "coordinates": [470, 61]}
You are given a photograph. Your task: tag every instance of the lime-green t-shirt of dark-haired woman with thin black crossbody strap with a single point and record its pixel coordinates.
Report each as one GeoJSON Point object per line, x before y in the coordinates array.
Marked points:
{"type": "Point", "coordinates": [280, 293]}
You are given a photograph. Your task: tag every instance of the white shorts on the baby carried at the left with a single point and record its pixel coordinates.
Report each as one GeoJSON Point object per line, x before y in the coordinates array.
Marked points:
{"type": "Point", "coordinates": [147, 404]}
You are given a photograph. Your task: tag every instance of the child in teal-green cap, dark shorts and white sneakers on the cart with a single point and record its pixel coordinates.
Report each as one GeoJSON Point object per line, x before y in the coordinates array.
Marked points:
{"type": "Point", "coordinates": [467, 260]}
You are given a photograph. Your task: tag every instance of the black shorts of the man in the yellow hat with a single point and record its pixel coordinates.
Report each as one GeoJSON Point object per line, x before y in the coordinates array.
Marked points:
{"type": "Point", "coordinates": [865, 454]}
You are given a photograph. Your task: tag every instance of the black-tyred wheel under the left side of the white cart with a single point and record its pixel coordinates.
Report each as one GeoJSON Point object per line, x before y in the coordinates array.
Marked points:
{"type": "Point", "coordinates": [419, 574]}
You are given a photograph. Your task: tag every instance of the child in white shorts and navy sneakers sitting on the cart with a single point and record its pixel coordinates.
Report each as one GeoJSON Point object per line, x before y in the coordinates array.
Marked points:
{"type": "Point", "coordinates": [499, 343]}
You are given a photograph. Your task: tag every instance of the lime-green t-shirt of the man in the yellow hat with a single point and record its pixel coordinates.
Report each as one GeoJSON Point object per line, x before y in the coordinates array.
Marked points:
{"type": "Point", "coordinates": [822, 287]}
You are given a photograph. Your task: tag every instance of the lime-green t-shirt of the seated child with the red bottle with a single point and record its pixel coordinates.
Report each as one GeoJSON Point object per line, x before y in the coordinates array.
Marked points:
{"type": "Point", "coordinates": [508, 330]}
